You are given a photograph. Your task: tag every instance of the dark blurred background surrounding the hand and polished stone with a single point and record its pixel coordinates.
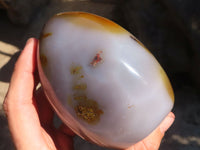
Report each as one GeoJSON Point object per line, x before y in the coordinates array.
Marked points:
{"type": "Point", "coordinates": [170, 29]}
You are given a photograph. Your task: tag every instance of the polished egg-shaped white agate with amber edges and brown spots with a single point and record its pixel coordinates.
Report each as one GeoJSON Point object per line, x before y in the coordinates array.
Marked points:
{"type": "Point", "coordinates": [102, 82]}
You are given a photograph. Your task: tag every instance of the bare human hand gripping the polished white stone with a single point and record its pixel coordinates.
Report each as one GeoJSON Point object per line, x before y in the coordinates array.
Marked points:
{"type": "Point", "coordinates": [30, 116]}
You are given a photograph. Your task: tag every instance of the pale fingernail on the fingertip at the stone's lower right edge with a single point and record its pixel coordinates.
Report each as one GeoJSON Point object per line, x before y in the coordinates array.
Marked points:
{"type": "Point", "coordinates": [167, 122]}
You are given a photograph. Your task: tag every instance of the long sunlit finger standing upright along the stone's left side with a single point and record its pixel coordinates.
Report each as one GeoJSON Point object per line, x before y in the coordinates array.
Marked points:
{"type": "Point", "coordinates": [19, 104]}
